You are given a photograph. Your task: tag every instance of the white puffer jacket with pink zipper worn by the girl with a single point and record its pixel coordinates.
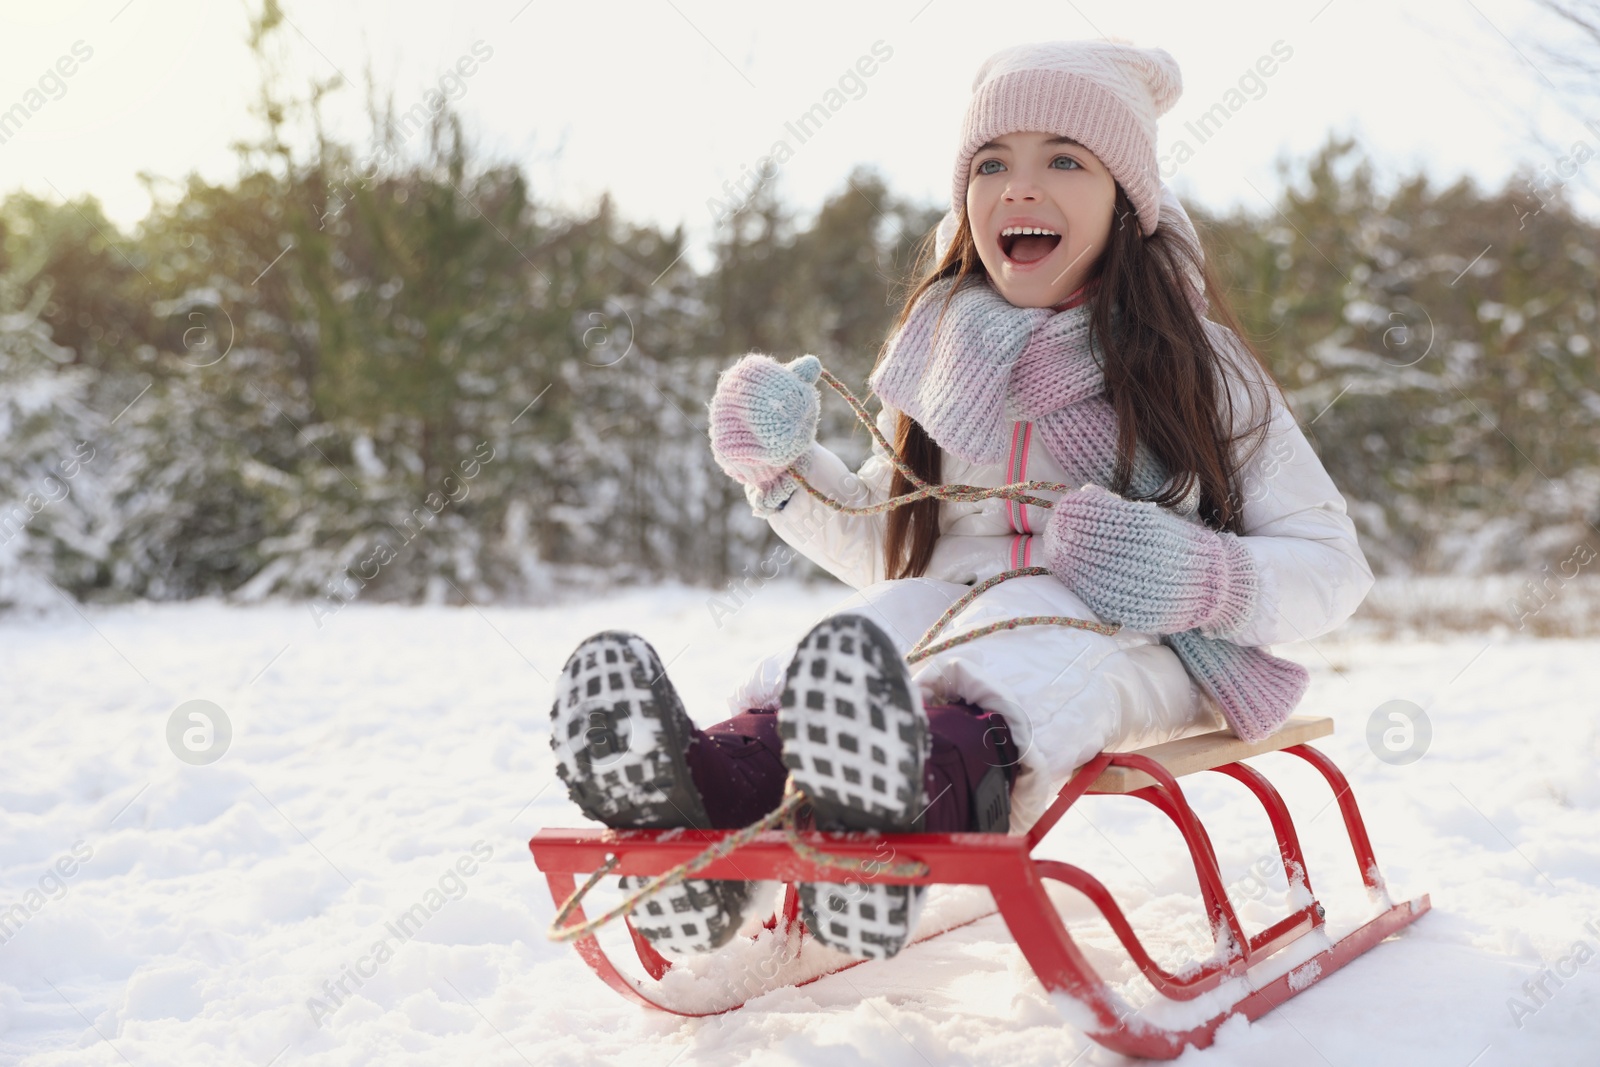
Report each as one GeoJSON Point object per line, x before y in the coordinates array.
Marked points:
{"type": "Point", "coordinates": [1071, 693]}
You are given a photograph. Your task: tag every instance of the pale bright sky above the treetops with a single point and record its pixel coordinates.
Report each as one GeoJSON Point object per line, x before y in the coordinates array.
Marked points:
{"type": "Point", "coordinates": [662, 102]}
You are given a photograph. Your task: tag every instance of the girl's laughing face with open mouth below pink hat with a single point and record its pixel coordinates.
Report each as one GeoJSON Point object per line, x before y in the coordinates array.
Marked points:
{"type": "Point", "coordinates": [1025, 182]}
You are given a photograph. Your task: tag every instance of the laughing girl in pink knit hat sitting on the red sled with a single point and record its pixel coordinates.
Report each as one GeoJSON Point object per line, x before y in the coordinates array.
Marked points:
{"type": "Point", "coordinates": [1060, 335]}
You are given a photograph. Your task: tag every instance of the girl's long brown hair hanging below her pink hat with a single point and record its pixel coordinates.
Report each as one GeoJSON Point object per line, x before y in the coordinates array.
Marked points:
{"type": "Point", "coordinates": [1164, 378]}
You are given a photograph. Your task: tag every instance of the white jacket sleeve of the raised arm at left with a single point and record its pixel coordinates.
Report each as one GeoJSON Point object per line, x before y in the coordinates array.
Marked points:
{"type": "Point", "coordinates": [850, 548]}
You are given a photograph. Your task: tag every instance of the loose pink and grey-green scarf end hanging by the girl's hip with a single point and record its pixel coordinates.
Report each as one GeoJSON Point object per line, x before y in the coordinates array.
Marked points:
{"type": "Point", "coordinates": [1255, 689]}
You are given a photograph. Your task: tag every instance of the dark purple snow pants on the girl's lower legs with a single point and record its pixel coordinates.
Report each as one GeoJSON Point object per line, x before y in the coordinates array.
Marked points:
{"type": "Point", "coordinates": [740, 772]}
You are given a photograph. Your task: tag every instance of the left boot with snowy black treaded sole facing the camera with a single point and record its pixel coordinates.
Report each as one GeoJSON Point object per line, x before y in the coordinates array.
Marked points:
{"type": "Point", "coordinates": [620, 733]}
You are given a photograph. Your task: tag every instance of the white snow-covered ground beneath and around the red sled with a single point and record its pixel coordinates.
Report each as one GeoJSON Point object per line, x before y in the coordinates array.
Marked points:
{"type": "Point", "coordinates": [175, 914]}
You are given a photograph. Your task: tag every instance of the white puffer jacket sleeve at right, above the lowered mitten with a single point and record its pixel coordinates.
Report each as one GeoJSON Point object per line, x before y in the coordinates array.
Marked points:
{"type": "Point", "coordinates": [1311, 572]}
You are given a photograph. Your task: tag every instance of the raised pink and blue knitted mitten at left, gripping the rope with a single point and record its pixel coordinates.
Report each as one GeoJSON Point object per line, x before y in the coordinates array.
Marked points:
{"type": "Point", "coordinates": [764, 420]}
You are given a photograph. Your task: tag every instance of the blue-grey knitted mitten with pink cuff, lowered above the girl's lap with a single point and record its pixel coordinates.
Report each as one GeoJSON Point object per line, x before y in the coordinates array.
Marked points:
{"type": "Point", "coordinates": [1132, 562]}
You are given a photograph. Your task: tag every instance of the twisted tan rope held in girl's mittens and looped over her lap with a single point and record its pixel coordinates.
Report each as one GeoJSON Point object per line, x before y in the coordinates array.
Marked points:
{"type": "Point", "coordinates": [962, 494]}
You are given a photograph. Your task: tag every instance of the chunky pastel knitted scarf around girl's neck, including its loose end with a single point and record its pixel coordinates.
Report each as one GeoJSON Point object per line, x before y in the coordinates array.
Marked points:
{"type": "Point", "coordinates": [993, 364]}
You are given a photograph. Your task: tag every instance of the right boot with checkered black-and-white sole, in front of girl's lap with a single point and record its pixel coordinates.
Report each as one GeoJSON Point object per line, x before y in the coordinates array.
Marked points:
{"type": "Point", "coordinates": [855, 741]}
